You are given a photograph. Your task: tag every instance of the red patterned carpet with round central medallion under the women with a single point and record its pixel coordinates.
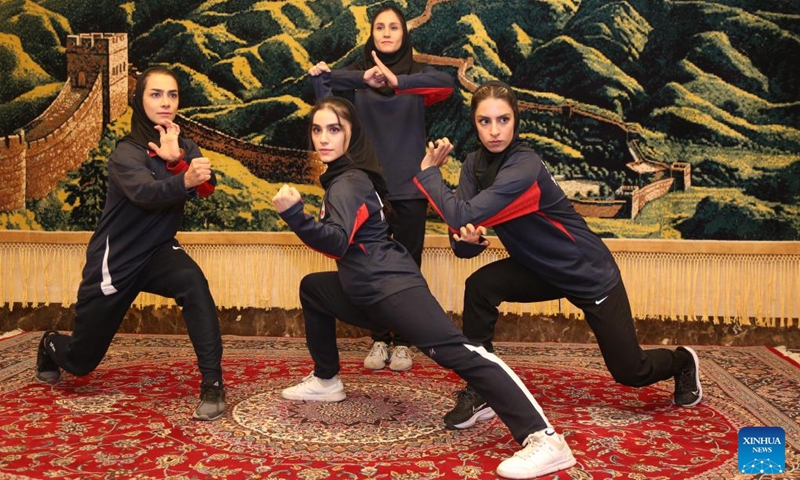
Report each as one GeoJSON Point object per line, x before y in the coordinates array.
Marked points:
{"type": "Point", "coordinates": [132, 417]}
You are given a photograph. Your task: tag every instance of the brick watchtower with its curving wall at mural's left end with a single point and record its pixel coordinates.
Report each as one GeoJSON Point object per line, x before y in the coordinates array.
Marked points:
{"type": "Point", "coordinates": [38, 155]}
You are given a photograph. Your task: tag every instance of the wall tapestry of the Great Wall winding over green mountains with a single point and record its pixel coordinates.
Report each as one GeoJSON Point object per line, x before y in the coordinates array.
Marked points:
{"type": "Point", "coordinates": [660, 119]}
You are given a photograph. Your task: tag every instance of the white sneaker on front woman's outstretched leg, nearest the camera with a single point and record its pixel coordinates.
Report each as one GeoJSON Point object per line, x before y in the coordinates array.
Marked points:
{"type": "Point", "coordinates": [544, 452]}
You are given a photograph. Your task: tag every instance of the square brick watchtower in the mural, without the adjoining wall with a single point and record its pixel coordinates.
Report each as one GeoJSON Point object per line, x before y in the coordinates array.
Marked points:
{"type": "Point", "coordinates": [106, 54]}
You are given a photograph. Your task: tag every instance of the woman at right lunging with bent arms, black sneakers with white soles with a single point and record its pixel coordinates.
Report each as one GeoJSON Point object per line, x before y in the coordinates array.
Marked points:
{"type": "Point", "coordinates": [553, 253]}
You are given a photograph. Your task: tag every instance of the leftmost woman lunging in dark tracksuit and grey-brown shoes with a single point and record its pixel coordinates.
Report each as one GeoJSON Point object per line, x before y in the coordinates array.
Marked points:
{"type": "Point", "coordinates": [152, 172]}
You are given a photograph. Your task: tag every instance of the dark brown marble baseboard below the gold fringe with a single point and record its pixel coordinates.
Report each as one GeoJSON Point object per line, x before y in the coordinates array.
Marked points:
{"type": "Point", "coordinates": [521, 328]}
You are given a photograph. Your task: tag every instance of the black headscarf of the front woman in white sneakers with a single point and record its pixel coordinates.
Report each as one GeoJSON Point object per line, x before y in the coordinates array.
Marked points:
{"type": "Point", "coordinates": [358, 154]}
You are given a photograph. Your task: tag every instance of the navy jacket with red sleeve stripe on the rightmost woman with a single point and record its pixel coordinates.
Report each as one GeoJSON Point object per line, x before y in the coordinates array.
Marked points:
{"type": "Point", "coordinates": [532, 217]}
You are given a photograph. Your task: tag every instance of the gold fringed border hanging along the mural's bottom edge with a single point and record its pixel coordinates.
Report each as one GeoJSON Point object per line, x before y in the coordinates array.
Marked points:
{"type": "Point", "coordinates": [751, 283]}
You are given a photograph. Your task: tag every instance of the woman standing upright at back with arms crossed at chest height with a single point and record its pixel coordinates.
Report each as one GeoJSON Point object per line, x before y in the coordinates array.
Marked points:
{"type": "Point", "coordinates": [390, 91]}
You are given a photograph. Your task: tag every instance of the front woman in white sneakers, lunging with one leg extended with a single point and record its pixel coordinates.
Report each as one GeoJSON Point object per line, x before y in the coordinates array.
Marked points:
{"type": "Point", "coordinates": [377, 284]}
